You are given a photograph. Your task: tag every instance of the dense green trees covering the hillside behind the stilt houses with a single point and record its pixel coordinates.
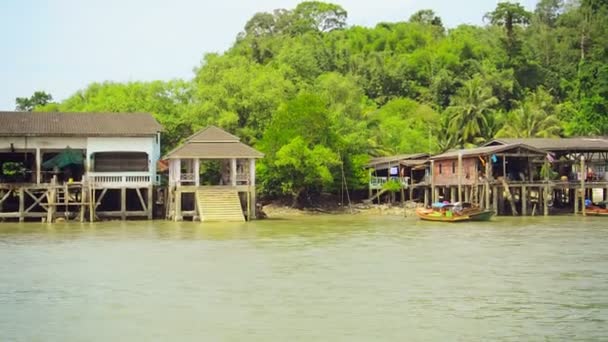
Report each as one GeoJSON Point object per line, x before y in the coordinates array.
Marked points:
{"type": "Point", "coordinates": [318, 97]}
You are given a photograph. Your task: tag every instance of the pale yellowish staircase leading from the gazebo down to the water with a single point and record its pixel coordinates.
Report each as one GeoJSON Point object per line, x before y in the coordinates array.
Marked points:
{"type": "Point", "coordinates": [217, 204]}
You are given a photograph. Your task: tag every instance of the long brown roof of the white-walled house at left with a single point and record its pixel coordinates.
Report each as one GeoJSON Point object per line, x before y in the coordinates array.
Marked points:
{"type": "Point", "coordinates": [34, 124]}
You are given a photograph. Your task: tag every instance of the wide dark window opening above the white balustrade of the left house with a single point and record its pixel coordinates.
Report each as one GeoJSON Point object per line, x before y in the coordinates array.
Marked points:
{"type": "Point", "coordinates": [120, 162]}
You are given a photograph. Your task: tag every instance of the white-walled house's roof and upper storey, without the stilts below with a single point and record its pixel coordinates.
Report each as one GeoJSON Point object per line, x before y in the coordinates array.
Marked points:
{"type": "Point", "coordinates": [117, 147]}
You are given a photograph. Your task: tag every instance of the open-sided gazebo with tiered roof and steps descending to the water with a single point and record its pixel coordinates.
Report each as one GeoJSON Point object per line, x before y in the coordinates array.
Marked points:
{"type": "Point", "coordinates": [190, 195]}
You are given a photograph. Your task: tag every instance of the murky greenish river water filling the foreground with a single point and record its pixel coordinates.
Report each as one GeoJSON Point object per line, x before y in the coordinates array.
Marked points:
{"type": "Point", "coordinates": [316, 278]}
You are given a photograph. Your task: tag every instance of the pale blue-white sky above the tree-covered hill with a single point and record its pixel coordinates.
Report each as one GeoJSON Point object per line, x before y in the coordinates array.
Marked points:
{"type": "Point", "coordinates": [61, 46]}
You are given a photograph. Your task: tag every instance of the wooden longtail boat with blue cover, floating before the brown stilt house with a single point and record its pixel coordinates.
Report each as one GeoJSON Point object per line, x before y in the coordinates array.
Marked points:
{"type": "Point", "coordinates": [453, 213]}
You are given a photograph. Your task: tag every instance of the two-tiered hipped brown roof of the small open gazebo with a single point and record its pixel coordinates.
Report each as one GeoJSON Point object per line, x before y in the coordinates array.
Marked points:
{"type": "Point", "coordinates": [213, 143]}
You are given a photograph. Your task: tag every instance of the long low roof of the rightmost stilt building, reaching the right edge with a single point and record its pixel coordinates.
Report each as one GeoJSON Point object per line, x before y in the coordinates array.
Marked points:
{"type": "Point", "coordinates": [558, 144]}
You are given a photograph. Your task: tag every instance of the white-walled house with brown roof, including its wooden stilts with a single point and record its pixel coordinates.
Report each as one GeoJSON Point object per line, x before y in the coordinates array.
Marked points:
{"type": "Point", "coordinates": [70, 162]}
